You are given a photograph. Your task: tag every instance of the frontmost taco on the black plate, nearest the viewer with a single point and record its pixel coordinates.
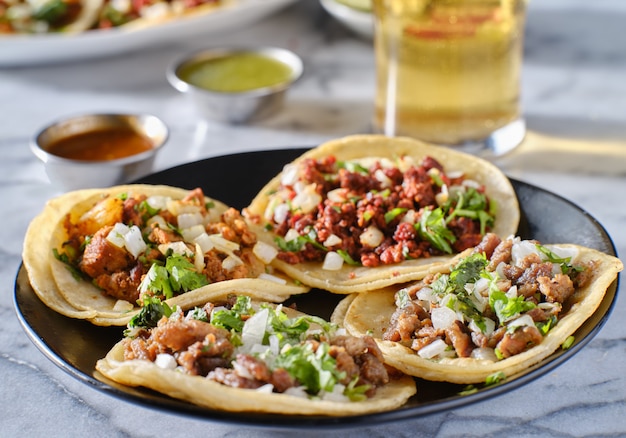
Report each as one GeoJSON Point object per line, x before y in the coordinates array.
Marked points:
{"type": "Point", "coordinates": [246, 356]}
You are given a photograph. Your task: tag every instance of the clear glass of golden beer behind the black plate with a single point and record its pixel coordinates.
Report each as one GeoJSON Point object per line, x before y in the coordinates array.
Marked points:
{"type": "Point", "coordinates": [448, 71]}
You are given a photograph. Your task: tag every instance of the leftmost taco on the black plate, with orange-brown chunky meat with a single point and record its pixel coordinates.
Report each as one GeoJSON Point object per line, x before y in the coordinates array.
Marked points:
{"type": "Point", "coordinates": [109, 249]}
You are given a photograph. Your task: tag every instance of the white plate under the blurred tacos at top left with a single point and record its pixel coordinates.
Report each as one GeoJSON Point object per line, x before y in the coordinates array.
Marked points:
{"type": "Point", "coordinates": [22, 50]}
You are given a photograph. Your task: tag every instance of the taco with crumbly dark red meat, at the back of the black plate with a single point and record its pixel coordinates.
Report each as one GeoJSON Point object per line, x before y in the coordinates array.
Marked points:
{"type": "Point", "coordinates": [367, 211]}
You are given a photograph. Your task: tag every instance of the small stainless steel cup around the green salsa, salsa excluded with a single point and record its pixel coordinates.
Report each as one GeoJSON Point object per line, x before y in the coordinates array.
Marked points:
{"type": "Point", "coordinates": [236, 107]}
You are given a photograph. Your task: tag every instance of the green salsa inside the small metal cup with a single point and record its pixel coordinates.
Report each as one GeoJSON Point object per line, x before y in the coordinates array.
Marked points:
{"type": "Point", "coordinates": [236, 73]}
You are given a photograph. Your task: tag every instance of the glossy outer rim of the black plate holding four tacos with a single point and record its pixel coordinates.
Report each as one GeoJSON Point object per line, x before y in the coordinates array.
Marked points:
{"type": "Point", "coordinates": [261, 420]}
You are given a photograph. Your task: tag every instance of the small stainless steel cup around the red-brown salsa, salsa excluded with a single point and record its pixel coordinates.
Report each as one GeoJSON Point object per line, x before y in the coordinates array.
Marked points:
{"type": "Point", "coordinates": [71, 174]}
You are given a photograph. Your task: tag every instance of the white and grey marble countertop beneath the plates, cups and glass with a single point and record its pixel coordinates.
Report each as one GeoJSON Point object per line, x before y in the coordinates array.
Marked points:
{"type": "Point", "coordinates": [574, 98]}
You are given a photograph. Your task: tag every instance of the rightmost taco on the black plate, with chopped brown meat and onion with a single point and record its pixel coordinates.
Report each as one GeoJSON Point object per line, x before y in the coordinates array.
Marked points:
{"type": "Point", "coordinates": [500, 310]}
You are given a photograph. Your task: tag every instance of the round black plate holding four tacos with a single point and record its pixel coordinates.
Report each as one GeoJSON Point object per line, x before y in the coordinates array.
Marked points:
{"type": "Point", "coordinates": [76, 345]}
